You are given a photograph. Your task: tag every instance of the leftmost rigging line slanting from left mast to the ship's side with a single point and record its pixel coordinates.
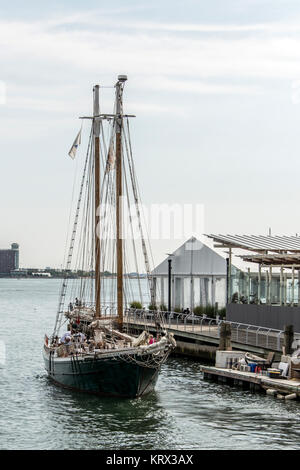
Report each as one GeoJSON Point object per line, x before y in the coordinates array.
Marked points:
{"type": "Point", "coordinates": [69, 258]}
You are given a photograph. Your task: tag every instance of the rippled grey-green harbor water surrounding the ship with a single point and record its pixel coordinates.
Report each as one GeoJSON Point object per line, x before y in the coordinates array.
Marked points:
{"type": "Point", "coordinates": [185, 412]}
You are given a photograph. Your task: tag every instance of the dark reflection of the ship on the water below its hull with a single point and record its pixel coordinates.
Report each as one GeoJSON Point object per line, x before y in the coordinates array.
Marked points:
{"type": "Point", "coordinates": [105, 422]}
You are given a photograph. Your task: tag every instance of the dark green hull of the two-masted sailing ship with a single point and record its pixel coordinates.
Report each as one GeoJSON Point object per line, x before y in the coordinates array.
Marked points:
{"type": "Point", "coordinates": [112, 376]}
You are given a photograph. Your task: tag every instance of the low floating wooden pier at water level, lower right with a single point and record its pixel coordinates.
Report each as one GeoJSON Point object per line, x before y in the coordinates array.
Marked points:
{"type": "Point", "coordinates": [282, 388]}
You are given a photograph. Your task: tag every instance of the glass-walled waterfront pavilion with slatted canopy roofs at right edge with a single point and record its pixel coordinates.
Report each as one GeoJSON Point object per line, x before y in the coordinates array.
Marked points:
{"type": "Point", "coordinates": [268, 252]}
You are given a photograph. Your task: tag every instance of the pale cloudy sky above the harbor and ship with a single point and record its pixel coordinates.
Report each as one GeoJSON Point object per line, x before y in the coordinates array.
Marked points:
{"type": "Point", "coordinates": [215, 87]}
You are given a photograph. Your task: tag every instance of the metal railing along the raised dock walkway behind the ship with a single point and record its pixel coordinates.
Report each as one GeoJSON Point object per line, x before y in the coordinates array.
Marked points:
{"type": "Point", "coordinates": [242, 333]}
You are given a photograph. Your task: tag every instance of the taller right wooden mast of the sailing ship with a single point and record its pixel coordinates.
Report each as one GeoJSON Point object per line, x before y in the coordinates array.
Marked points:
{"type": "Point", "coordinates": [119, 193]}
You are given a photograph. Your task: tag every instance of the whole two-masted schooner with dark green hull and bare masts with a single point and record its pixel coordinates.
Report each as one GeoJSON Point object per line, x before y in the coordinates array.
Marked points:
{"type": "Point", "coordinates": [91, 348]}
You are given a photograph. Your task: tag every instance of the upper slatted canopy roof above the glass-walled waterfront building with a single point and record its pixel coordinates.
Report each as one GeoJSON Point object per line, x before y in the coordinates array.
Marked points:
{"type": "Point", "coordinates": [258, 243]}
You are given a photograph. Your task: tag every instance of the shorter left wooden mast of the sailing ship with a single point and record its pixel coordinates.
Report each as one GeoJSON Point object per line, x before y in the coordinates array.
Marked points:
{"type": "Point", "coordinates": [96, 133]}
